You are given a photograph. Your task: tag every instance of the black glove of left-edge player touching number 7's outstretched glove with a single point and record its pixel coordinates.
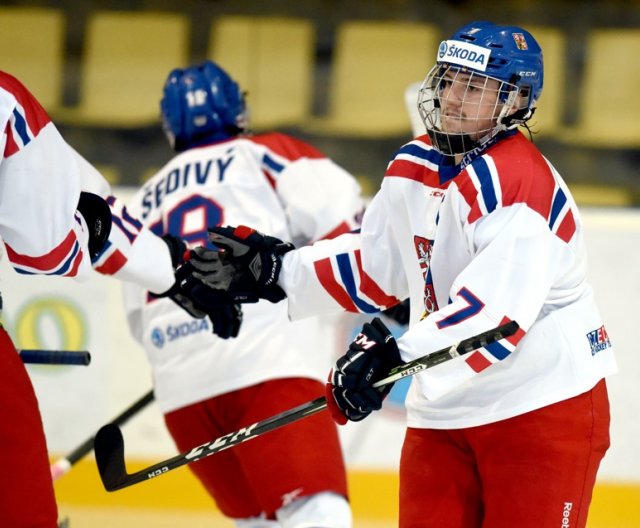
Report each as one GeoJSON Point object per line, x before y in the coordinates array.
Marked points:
{"type": "Point", "coordinates": [195, 270]}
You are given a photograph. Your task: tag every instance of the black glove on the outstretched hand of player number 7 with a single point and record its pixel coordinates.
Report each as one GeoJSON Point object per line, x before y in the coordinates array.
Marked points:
{"type": "Point", "coordinates": [256, 260]}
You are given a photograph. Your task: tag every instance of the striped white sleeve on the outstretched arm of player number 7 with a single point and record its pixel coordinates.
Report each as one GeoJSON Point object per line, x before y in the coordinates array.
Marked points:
{"type": "Point", "coordinates": [331, 274]}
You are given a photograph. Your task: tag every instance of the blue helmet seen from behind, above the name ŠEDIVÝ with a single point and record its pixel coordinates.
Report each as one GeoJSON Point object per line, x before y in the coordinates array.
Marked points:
{"type": "Point", "coordinates": [201, 104]}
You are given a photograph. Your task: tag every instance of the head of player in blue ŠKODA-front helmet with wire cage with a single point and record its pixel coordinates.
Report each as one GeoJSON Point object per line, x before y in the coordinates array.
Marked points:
{"type": "Point", "coordinates": [487, 79]}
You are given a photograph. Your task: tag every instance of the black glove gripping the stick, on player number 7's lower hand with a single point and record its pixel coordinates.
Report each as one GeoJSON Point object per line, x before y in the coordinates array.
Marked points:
{"type": "Point", "coordinates": [371, 356]}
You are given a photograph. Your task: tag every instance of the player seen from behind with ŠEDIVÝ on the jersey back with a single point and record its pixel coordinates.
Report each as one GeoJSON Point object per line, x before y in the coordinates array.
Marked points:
{"type": "Point", "coordinates": [208, 386]}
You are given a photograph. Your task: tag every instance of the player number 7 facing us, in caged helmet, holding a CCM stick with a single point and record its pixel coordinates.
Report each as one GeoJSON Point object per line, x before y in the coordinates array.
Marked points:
{"type": "Point", "coordinates": [478, 228]}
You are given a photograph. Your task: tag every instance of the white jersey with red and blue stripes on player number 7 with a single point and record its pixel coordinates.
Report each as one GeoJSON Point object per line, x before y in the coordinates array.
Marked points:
{"type": "Point", "coordinates": [500, 240]}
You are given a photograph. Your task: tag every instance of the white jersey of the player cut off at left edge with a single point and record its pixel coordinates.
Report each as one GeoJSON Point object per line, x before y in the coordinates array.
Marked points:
{"type": "Point", "coordinates": [41, 178]}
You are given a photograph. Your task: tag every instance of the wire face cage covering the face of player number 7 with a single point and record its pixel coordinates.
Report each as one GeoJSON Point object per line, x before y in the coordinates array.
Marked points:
{"type": "Point", "coordinates": [463, 109]}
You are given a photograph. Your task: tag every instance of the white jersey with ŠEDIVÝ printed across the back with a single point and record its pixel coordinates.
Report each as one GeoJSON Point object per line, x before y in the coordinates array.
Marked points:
{"type": "Point", "coordinates": [277, 185]}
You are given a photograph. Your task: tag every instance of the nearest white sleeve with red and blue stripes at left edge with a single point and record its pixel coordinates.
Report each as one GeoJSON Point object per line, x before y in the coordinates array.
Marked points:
{"type": "Point", "coordinates": [39, 190]}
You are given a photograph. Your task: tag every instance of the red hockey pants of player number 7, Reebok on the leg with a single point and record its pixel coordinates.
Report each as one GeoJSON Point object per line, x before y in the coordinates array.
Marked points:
{"type": "Point", "coordinates": [536, 470]}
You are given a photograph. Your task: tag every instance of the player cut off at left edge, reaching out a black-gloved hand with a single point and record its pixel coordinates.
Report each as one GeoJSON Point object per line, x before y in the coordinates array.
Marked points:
{"type": "Point", "coordinates": [57, 217]}
